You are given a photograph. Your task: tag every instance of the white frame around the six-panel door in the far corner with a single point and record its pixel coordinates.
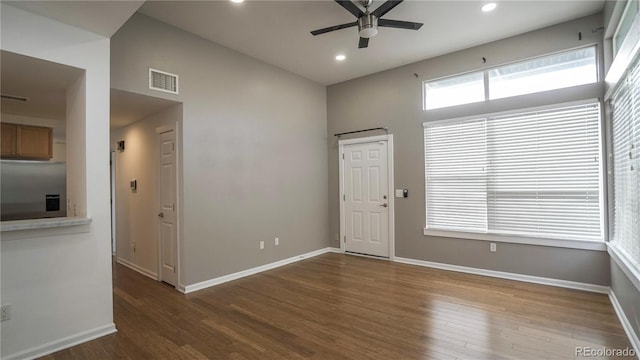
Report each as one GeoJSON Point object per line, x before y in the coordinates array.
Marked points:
{"type": "Point", "coordinates": [389, 139]}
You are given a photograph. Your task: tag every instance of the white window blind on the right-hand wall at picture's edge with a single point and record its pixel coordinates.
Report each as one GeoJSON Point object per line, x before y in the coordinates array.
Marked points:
{"type": "Point", "coordinates": [626, 162]}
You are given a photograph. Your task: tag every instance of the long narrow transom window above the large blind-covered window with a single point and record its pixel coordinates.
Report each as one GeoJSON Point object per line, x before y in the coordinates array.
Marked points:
{"type": "Point", "coordinates": [566, 69]}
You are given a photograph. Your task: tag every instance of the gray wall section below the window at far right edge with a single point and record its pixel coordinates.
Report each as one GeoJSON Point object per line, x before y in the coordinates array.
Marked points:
{"type": "Point", "coordinates": [627, 295]}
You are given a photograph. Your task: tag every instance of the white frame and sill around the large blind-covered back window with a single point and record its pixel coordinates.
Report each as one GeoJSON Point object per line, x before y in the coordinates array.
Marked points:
{"type": "Point", "coordinates": [598, 245]}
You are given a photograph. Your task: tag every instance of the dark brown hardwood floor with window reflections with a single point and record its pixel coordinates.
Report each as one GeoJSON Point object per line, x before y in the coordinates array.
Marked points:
{"type": "Point", "coordinates": [347, 307]}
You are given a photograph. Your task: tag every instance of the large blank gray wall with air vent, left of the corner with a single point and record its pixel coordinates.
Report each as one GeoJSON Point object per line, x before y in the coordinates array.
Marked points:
{"type": "Point", "coordinates": [254, 148]}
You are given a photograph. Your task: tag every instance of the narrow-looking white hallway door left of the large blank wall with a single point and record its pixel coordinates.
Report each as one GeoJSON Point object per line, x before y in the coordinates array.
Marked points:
{"type": "Point", "coordinates": [167, 216]}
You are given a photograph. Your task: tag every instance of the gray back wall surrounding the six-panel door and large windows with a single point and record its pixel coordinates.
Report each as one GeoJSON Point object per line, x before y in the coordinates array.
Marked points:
{"type": "Point", "coordinates": [393, 99]}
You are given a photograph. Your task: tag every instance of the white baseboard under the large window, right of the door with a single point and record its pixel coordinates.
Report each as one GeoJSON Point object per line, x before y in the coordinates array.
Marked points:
{"type": "Point", "coordinates": [510, 276]}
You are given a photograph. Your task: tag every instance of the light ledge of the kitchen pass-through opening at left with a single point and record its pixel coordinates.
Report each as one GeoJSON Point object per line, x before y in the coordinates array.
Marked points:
{"type": "Point", "coordinates": [17, 229]}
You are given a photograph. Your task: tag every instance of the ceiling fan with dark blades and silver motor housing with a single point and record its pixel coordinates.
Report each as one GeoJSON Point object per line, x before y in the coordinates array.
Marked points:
{"type": "Point", "coordinates": [368, 22]}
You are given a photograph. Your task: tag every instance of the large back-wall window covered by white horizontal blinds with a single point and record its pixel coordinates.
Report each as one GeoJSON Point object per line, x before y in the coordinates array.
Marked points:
{"type": "Point", "coordinates": [533, 174]}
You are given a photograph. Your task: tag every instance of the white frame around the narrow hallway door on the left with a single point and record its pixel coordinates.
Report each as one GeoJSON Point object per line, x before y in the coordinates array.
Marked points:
{"type": "Point", "coordinates": [159, 130]}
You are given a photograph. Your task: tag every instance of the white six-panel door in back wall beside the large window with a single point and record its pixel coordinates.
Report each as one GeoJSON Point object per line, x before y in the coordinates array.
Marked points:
{"type": "Point", "coordinates": [366, 198]}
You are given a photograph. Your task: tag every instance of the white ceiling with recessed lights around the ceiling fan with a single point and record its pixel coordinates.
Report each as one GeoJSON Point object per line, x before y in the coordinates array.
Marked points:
{"type": "Point", "coordinates": [277, 32]}
